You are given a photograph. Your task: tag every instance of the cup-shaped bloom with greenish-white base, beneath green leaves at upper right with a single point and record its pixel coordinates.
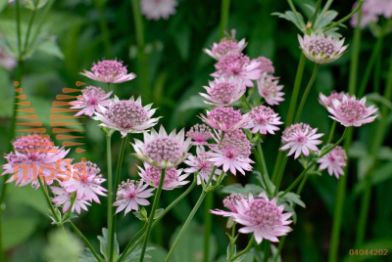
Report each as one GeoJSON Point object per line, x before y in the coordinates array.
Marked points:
{"type": "Point", "coordinates": [322, 49]}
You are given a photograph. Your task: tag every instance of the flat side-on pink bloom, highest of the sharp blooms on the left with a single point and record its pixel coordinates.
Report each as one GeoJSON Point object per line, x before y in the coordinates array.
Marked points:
{"type": "Point", "coordinates": [109, 71]}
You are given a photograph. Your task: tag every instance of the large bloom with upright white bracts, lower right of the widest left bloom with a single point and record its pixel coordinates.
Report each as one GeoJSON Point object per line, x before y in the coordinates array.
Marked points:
{"type": "Point", "coordinates": [161, 149]}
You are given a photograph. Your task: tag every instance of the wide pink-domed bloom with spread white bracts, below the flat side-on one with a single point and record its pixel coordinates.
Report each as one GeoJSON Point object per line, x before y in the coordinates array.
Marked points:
{"type": "Point", "coordinates": [126, 116]}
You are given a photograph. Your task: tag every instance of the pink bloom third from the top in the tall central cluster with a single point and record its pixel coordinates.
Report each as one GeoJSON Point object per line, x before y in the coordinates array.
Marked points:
{"type": "Point", "coordinates": [223, 91]}
